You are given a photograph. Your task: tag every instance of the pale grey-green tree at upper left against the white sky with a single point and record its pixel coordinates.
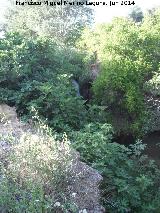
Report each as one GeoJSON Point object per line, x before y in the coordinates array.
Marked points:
{"type": "Point", "coordinates": [64, 22]}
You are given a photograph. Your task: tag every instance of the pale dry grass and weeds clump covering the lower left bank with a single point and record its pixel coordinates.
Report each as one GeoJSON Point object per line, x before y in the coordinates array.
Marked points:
{"type": "Point", "coordinates": [35, 174]}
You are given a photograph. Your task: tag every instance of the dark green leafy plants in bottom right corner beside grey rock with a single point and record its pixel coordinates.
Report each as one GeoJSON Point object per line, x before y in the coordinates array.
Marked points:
{"type": "Point", "coordinates": [132, 180]}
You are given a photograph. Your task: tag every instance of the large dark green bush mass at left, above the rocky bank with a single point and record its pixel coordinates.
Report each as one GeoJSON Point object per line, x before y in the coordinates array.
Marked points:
{"type": "Point", "coordinates": [37, 73]}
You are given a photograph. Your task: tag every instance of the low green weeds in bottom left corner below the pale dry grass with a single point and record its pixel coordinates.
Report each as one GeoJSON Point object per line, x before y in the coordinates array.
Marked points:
{"type": "Point", "coordinates": [16, 199]}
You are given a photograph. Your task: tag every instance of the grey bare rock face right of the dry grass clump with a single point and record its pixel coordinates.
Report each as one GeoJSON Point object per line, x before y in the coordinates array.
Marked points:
{"type": "Point", "coordinates": [85, 186]}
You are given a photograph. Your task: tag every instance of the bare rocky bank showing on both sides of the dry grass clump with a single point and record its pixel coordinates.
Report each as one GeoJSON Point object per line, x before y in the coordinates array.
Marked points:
{"type": "Point", "coordinates": [83, 187]}
